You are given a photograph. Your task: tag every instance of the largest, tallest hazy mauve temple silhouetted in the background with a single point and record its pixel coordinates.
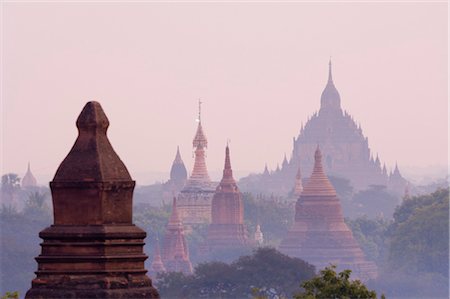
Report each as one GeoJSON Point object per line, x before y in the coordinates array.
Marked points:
{"type": "Point", "coordinates": [345, 149]}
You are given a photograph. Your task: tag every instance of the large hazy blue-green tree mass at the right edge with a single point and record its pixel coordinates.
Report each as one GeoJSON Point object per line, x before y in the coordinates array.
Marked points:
{"type": "Point", "coordinates": [419, 235]}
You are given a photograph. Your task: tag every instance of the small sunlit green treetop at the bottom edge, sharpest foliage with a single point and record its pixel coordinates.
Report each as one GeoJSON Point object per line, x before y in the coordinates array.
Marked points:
{"type": "Point", "coordinates": [330, 285]}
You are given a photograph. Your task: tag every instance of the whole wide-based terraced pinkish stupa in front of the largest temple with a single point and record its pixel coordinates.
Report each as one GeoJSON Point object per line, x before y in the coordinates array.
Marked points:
{"type": "Point", "coordinates": [319, 234]}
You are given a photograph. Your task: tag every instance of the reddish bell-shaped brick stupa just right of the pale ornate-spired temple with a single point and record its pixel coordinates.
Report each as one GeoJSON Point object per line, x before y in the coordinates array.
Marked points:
{"type": "Point", "coordinates": [227, 230]}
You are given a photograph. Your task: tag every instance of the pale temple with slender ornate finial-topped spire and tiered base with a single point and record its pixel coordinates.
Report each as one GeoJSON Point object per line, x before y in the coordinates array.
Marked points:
{"type": "Point", "coordinates": [194, 200]}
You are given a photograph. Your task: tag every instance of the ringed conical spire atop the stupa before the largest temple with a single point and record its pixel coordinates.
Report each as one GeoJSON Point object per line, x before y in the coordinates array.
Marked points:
{"type": "Point", "coordinates": [318, 183]}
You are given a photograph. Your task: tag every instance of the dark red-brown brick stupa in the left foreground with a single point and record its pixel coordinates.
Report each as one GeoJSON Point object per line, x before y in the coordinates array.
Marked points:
{"type": "Point", "coordinates": [93, 250]}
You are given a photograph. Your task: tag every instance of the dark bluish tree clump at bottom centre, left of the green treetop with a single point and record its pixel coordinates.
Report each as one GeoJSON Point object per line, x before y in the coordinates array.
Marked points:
{"type": "Point", "coordinates": [266, 269]}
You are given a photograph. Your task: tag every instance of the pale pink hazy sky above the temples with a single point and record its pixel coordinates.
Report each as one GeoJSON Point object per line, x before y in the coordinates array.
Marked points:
{"type": "Point", "coordinates": [259, 67]}
